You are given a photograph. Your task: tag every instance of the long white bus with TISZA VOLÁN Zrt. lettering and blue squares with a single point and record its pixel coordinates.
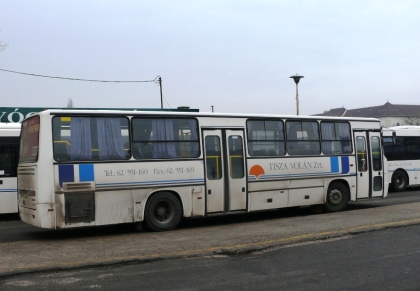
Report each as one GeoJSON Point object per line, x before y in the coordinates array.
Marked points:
{"type": "Point", "coordinates": [87, 168]}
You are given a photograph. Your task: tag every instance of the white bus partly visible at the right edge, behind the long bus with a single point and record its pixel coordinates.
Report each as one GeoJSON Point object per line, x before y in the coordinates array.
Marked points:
{"type": "Point", "coordinates": [402, 150]}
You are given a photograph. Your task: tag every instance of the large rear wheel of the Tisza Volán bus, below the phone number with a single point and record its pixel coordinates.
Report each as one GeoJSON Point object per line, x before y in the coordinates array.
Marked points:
{"type": "Point", "coordinates": [163, 212]}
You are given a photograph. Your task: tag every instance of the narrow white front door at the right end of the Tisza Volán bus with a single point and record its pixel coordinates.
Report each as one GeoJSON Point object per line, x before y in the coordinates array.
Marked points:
{"type": "Point", "coordinates": [369, 169]}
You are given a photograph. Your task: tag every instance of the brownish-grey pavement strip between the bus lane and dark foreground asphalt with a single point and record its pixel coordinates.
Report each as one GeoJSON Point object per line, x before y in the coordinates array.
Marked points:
{"type": "Point", "coordinates": [44, 254]}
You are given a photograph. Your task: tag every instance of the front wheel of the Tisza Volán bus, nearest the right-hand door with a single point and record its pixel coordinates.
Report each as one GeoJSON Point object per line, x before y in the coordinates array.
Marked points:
{"type": "Point", "coordinates": [337, 197]}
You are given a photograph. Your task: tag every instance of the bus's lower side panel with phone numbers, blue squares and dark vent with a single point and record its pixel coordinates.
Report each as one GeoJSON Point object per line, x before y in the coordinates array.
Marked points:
{"type": "Point", "coordinates": [121, 190]}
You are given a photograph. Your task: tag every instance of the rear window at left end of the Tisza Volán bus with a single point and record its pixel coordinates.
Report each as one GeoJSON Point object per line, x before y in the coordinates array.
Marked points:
{"type": "Point", "coordinates": [29, 140]}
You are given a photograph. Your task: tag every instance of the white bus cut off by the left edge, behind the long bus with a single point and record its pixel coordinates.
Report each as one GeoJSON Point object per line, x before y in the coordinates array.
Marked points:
{"type": "Point", "coordinates": [9, 152]}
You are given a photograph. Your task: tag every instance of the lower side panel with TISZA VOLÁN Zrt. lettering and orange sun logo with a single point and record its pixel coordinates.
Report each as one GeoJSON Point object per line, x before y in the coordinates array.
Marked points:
{"type": "Point", "coordinates": [305, 179]}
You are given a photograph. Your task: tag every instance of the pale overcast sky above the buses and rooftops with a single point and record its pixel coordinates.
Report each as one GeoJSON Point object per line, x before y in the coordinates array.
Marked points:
{"type": "Point", "coordinates": [234, 55]}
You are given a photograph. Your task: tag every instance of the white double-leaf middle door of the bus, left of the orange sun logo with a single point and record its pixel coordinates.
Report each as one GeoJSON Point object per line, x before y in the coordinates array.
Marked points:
{"type": "Point", "coordinates": [224, 170]}
